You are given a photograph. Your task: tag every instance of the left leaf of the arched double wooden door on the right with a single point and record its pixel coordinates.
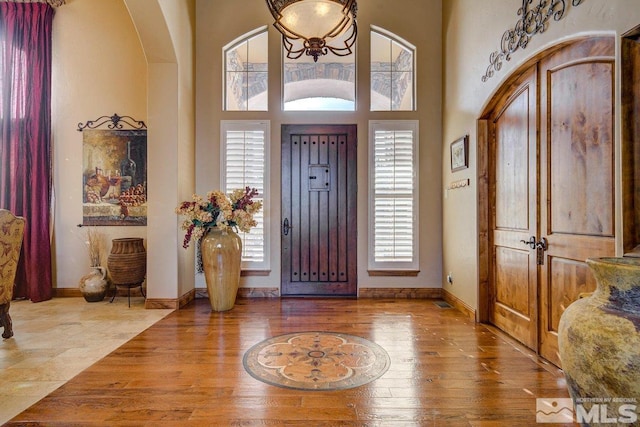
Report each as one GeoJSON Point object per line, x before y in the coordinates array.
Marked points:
{"type": "Point", "coordinates": [514, 215]}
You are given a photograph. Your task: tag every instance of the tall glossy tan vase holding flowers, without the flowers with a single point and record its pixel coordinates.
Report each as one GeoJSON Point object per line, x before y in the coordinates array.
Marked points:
{"type": "Point", "coordinates": [221, 252]}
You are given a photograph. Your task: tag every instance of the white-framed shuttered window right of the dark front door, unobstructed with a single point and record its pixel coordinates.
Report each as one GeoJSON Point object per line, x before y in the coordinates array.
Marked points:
{"type": "Point", "coordinates": [393, 195]}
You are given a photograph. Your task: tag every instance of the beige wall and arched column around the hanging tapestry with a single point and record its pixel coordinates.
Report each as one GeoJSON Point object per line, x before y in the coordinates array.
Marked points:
{"type": "Point", "coordinates": [132, 57]}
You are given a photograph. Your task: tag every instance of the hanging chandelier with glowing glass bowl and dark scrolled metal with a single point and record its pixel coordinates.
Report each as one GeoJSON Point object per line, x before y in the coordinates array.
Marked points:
{"type": "Point", "coordinates": [315, 27]}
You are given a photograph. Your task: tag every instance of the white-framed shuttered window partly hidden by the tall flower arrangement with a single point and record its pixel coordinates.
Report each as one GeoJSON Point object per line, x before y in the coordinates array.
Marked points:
{"type": "Point", "coordinates": [245, 163]}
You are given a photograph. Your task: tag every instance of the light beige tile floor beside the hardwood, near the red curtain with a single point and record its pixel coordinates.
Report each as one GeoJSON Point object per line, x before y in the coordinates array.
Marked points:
{"type": "Point", "coordinates": [55, 340]}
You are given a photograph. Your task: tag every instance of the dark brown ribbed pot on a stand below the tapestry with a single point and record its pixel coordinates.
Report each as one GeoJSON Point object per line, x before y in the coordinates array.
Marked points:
{"type": "Point", "coordinates": [127, 261]}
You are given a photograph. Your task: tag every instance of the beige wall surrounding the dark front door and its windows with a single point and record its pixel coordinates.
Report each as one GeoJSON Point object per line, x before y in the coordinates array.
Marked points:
{"type": "Point", "coordinates": [216, 27]}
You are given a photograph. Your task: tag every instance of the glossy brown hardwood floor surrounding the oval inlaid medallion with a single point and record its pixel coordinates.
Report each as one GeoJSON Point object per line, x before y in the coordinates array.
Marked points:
{"type": "Point", "coordinates": [187, 370]}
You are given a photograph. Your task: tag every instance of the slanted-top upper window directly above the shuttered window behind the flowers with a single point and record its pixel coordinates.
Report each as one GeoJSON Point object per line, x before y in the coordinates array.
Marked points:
{"type": "Point", "coordinates": [246, 72]}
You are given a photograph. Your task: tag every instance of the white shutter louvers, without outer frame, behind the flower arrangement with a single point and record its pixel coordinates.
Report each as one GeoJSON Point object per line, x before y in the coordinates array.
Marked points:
{"type": "Point", "coordinates": [244, 160]}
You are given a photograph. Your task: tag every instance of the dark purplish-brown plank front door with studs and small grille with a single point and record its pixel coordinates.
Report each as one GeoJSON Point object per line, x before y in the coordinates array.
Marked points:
{"type": "Point", "coordinates": [319, 224]}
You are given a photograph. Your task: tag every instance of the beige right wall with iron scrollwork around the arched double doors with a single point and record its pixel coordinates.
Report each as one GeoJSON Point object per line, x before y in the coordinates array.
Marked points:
{"type": "Point", "coordinates": [472, 30]}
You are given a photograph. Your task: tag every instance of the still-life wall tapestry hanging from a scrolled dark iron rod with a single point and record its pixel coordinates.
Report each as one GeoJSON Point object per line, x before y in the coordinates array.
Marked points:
{"type": "Point", "coordinates": [114, 176]}
